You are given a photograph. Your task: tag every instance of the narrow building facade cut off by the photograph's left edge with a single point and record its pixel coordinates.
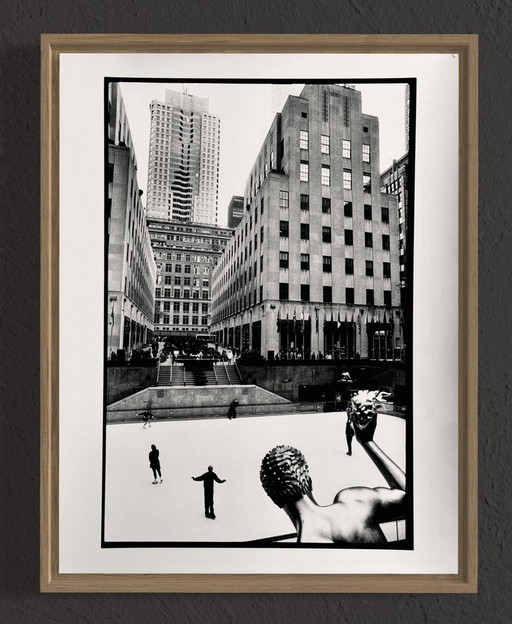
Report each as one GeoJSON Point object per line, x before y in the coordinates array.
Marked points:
{"type": "Point", "coordinates": [130, 266]}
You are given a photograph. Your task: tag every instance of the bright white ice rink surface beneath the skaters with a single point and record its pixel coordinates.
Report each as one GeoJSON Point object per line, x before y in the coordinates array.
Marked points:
{"type": "Point", "coordinates": [137, 510]}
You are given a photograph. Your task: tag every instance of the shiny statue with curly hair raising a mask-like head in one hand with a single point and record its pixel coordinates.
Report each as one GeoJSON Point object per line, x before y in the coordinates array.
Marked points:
{"type": "Point", "coordinates": [356, 513]}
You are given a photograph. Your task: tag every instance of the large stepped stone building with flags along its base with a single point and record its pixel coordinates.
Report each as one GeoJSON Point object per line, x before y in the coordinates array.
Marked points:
{"type": "Point", "coordinates": [313, 265]}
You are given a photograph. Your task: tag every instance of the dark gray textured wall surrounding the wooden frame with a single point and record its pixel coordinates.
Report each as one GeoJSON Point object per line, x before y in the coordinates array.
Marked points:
{"type": "Point", "coordinates": [21, 23]}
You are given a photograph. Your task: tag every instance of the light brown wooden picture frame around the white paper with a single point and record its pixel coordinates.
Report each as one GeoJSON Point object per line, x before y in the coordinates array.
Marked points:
{"type": "Point", "coordinates": [462, 47]}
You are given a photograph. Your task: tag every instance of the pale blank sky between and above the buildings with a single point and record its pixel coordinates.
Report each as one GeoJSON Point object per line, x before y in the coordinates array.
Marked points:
{"type": "Point", "coordinates": [246, 112]}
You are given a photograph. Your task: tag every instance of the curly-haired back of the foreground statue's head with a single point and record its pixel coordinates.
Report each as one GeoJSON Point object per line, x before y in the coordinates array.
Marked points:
{"type": "Point", "coordinates": [284, 475]}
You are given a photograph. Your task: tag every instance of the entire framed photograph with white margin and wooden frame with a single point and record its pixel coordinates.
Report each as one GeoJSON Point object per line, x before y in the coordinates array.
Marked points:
{"type": "Point", "coordinates": [258, 328]}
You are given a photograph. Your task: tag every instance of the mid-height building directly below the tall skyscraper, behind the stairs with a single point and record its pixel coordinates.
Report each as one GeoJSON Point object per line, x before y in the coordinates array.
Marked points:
{"type": "Point", "coordinates": [185, 255]}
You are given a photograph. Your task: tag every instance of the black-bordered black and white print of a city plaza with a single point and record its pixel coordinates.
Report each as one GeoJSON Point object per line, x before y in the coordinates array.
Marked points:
{"type": "Point", "coordinates": [258, 378]}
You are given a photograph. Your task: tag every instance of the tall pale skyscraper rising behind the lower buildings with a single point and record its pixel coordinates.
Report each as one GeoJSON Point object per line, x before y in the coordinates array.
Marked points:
{"type": "Point", "coordinates": [183, 171]}
